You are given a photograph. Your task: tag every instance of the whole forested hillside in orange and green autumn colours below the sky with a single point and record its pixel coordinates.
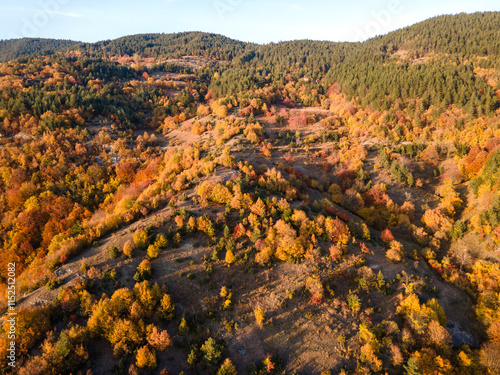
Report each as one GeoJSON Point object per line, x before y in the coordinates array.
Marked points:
{"type": "Point", "coordinates": [191, 204]}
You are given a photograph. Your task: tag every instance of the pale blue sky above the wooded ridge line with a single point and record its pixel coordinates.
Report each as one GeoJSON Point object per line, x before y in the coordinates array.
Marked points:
{"type": "Point", "coordinates": [258, 21]}
